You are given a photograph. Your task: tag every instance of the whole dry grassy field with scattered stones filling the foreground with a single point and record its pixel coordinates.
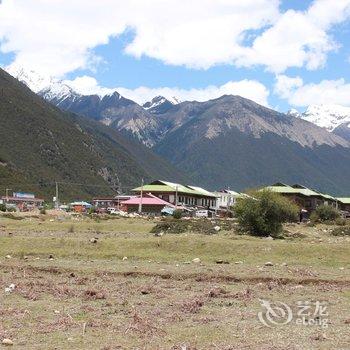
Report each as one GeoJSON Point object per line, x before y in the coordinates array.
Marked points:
{"type": "Point", "coordinates": [111, 284]}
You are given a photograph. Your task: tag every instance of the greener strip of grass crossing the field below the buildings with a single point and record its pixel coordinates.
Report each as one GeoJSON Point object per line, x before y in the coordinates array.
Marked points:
{"type": "Point", "coordinates": [179, 248]}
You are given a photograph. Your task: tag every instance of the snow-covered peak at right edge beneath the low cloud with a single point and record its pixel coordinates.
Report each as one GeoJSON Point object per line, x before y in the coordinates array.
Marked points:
{"type": "Point", "coordinates": [326, 116]}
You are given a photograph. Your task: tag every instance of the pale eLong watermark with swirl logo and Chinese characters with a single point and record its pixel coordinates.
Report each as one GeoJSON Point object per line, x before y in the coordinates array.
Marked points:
{"type": "Point", "coordinates": [277, 313]}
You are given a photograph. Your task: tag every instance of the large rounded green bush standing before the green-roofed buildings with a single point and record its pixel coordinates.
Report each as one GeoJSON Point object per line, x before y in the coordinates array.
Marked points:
{"type": "Point", "coordinates": [264, 213]}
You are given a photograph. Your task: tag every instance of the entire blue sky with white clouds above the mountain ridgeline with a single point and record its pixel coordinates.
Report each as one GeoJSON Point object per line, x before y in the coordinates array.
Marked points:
{"type": "Point", "coordinates": [282, 54]}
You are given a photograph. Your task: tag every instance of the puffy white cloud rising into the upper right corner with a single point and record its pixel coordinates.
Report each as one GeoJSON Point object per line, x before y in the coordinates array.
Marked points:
{"type": "Point", "coordinates": [298, 38]}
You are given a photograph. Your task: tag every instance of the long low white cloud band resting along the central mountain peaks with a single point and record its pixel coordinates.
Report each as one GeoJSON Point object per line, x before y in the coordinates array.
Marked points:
{"type": "Point", "coordinates": [251, 89]}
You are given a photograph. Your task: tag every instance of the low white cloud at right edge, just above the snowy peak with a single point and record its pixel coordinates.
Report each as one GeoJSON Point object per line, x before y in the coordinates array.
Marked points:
{"type": "Point", "coordinates": [325, 92]}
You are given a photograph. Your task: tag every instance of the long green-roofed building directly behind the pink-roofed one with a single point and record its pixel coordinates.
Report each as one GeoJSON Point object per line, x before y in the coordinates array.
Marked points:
{"type": "Point", "coordinates": [178, 194]}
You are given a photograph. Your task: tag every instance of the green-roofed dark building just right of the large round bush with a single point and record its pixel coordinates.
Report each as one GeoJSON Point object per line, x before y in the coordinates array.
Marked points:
{"type": "Point", "coordinates": [304, 197]}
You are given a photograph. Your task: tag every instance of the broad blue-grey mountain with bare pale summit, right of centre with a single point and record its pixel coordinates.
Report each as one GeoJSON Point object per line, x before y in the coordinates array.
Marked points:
{"type": "Point", "coordinates": [232, 141]}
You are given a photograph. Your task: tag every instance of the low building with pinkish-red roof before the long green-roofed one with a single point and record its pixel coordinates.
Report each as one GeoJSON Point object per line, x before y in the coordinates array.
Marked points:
{"type": "Point", "coordinates": [149, 203]}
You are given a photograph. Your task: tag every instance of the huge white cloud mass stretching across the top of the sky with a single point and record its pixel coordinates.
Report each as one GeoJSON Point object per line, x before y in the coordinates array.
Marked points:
{"type": "Point", "coordinates": [58, 36]}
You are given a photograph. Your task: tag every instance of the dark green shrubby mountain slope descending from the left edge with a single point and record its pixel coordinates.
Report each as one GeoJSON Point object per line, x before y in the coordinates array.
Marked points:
{"type": "Point", "coordinates": [40, 144]}
